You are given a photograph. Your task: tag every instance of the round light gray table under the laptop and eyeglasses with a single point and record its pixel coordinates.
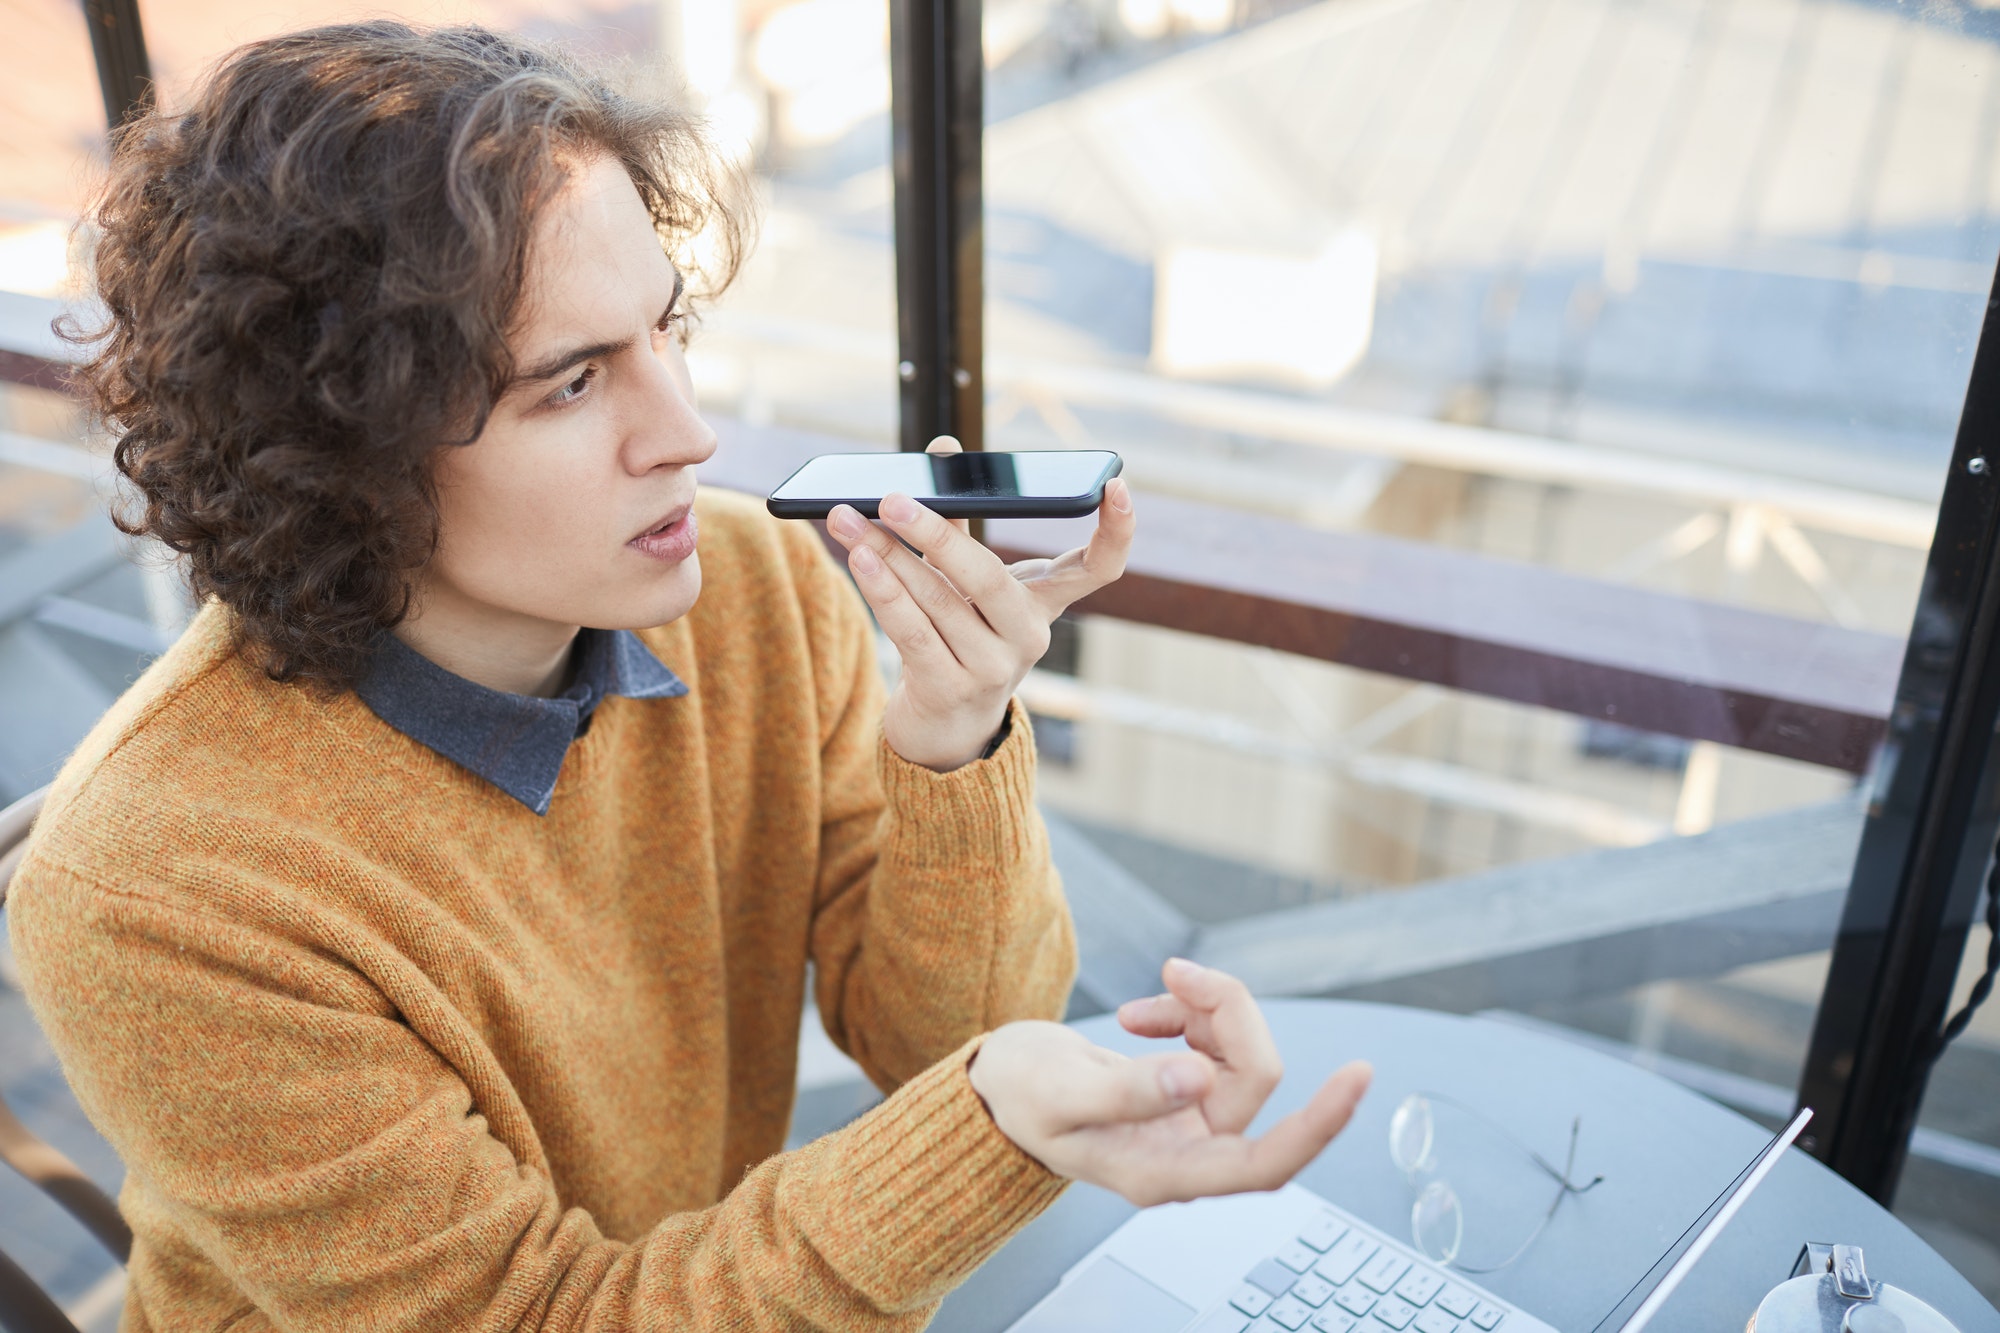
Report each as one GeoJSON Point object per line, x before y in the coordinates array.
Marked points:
{"type": "Point", "coordinates": [1665, 1156]}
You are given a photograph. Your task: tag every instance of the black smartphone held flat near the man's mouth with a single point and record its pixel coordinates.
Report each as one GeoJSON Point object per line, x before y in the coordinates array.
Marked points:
{"type": "Point", "coordinates": [1059, 483]}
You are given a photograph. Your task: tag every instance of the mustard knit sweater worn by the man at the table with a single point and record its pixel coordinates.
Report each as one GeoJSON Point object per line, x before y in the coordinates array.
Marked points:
{"type": "Point", "coordinates": [383, 1050]}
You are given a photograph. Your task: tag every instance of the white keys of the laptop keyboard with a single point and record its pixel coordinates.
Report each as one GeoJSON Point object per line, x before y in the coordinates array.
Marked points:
{"type": "Point", "coordinates": [1337, 1278]}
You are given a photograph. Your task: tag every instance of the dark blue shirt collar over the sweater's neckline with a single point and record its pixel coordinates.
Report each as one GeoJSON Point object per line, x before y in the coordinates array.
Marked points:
{"type": "Point", "coordinates": [513, 742]}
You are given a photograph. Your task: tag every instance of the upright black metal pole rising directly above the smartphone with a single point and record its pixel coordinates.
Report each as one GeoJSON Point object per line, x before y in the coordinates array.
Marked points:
{"type": "Point", "coordinates": [937, 77]}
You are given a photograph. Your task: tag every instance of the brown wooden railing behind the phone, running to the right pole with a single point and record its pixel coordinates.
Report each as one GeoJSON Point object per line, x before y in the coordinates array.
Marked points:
{"type": "Point", "coordinates": [1493, 627]}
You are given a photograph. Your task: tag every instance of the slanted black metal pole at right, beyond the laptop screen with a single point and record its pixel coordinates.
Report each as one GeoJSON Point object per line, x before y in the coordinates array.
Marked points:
{"type": "Point", "coordinates": [1931, 828]}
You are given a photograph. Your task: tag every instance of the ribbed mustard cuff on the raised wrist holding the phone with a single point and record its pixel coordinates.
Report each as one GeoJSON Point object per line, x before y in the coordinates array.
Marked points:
{"type": "Point", "coordinates": [983, 812]}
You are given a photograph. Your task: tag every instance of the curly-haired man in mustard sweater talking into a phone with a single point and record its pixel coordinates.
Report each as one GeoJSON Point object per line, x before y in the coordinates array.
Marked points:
{"type": "Point", "coordinates": [429, 928]}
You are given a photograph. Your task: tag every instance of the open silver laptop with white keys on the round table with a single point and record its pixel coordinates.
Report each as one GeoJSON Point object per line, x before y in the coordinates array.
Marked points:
{"type": "Point", "coordinates": [1291, 1262]}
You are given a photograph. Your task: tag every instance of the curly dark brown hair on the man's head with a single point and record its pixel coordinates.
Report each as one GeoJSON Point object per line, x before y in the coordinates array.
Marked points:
{"type": "Point", "coordinates": [309, 277]}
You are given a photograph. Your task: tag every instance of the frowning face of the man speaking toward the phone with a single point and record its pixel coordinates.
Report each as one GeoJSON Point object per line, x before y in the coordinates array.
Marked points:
{"type": "Point", "coordinates": [573, 507]}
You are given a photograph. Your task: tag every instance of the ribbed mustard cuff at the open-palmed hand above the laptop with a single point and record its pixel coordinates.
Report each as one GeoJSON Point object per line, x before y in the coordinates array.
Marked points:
{"type": "Point", "coordinates": [927, 1190]}
